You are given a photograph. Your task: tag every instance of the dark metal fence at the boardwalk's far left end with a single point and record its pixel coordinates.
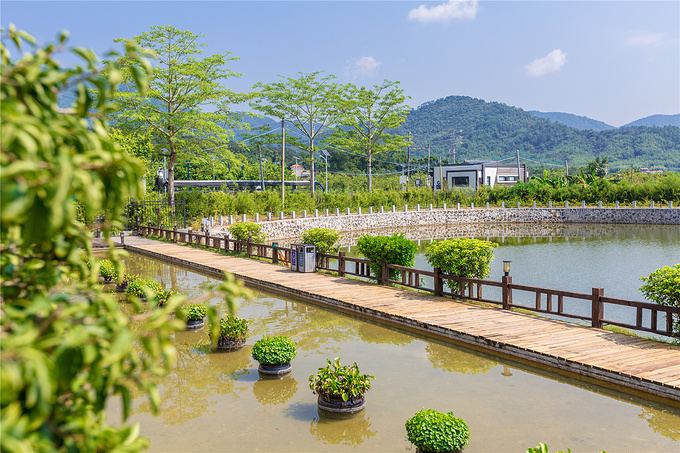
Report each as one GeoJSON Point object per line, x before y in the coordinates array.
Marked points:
{"type": "Point", "coordinates": [157, 211]}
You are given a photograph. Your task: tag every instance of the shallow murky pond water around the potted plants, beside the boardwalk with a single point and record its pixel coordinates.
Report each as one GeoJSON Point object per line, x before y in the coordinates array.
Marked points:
{"type": "Point", "coordinates": [218, 402]}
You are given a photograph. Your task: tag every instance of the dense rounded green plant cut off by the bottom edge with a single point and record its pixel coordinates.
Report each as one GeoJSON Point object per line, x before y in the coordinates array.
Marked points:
{"type": "Point", "coordinates": [434, 431]}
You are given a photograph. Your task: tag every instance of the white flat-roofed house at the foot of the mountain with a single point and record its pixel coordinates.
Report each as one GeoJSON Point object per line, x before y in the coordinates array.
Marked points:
{"type": "Point", "coordinates": [473, 175]}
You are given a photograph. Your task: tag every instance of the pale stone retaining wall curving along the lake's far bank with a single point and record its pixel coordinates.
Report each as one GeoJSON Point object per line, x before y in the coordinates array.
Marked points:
{"type": "Point", "coordinates": [289, 228]}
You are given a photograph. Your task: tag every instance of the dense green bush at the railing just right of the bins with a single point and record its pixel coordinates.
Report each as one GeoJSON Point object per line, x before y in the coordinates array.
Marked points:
{"type": "Point", "coordinates": [395, 249]}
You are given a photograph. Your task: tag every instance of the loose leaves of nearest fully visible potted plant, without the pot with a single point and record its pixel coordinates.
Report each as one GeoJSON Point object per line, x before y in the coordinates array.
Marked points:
{"type": "Point", "coordinates": [338, 380]}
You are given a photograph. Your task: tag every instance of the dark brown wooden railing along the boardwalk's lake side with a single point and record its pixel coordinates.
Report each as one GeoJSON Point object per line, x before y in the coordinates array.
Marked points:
{"type": "Point", "coordinates": [649, 317]}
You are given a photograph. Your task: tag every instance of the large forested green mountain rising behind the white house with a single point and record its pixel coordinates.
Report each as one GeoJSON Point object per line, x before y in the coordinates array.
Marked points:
{"type": "Point", "coordinates": [491, 131]}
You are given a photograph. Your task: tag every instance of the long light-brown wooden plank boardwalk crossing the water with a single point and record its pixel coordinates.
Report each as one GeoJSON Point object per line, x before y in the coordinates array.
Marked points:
{"type": "Point", "coordinates": [620, 360]}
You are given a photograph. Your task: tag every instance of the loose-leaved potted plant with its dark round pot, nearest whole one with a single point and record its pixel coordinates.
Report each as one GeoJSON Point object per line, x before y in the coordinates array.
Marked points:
{"type": "Point", "coordinates": [340, 388]}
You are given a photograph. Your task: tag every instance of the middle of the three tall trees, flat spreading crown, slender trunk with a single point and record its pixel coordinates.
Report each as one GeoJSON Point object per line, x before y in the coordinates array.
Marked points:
{"type": "Point", "coordinates": [308, 102]}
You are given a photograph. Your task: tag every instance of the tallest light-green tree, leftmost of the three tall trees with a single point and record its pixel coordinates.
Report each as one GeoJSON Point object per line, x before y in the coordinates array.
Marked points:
{"type": "Point", "coordinates": [185, 99]}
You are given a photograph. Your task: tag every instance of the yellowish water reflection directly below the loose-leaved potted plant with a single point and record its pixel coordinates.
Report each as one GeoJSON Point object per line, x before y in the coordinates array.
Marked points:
{"type": "Point", "coordinates": [338, 429]}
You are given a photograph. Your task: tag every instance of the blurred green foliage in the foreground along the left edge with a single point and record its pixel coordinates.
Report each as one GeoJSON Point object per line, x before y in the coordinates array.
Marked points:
{"type": "Point", "coordinates": [65, 347]}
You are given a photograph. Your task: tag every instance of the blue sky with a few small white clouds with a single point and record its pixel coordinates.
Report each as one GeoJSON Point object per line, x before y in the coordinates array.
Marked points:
{"type": "Point", "coordinates": [614, 61]}
